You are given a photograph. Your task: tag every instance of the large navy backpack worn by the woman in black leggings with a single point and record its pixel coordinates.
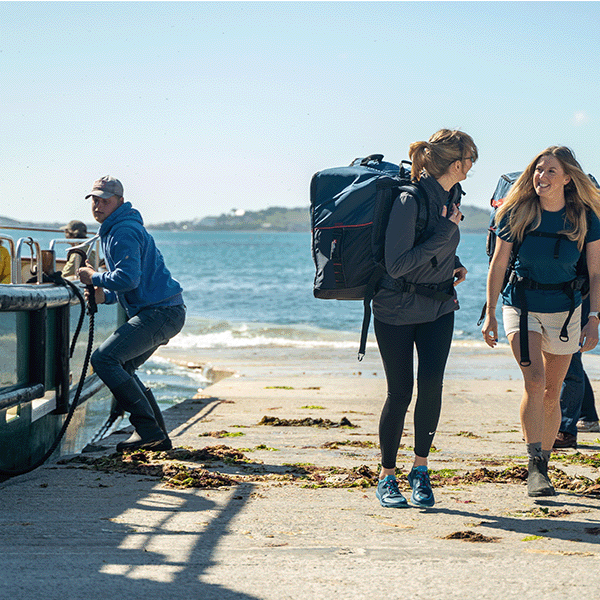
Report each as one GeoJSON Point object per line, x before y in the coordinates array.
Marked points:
{"type": "Point", "coordinates": [349, 209]}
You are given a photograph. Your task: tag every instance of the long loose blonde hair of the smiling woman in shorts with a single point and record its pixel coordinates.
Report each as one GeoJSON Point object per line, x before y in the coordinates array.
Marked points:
{"type": "Point", "coordinates": [522, 204]}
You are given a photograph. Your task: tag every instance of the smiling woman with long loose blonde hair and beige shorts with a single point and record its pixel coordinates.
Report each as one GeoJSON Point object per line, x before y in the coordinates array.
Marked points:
{"type": "Point", "coordinates": [549, 218]}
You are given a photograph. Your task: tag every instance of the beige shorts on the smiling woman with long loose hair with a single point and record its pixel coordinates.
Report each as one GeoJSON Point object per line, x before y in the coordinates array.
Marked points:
{"type": "Point", "coordinates": [549, 325]}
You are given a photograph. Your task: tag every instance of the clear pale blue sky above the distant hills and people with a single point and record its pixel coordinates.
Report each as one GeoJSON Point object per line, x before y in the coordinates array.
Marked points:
{"type": "Point", "coordinates": [203, 107]}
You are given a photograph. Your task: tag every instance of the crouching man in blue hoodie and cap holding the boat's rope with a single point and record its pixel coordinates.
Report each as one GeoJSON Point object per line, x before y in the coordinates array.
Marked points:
{"type": "Point", "coordinates": [138, 279]}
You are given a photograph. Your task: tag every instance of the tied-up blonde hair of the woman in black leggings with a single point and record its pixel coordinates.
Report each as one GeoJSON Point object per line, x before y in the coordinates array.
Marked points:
{"type": "Point", "coordinates": [444, 148]}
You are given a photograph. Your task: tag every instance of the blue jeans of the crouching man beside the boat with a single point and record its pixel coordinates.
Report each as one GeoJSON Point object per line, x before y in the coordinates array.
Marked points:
{"type": "Point", "coordinates": [132, 344]}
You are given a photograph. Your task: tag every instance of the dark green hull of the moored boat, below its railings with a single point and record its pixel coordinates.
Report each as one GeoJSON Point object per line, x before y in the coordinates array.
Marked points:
{"type": "Point", "coordinates": [39, 378]}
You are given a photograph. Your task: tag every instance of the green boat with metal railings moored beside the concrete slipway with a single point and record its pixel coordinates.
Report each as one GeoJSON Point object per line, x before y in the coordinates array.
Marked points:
{"type": "Point", "coordinates": [51, 404]}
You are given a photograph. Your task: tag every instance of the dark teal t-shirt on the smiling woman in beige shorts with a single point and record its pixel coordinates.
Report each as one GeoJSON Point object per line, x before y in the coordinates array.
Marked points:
{"type": "Point", "coordinates": [536, 261]}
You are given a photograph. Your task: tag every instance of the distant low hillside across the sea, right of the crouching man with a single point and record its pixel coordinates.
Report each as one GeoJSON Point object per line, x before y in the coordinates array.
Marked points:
{"type": "Point", "coordinates": [291, 219]}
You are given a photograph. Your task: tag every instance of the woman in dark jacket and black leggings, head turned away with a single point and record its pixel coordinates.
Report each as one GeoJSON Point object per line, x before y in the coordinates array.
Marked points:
{"type": "Point", "coordinates": [415, 307]}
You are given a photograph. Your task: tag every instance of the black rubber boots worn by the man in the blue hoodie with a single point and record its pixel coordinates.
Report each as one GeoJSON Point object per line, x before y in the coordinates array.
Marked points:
{"type": "Point", "coordinates": [148, 435]}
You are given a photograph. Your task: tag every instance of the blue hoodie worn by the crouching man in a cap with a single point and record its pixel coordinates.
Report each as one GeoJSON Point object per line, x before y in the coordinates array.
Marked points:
{"type": "Point", "coordinates": [137, 275]}
